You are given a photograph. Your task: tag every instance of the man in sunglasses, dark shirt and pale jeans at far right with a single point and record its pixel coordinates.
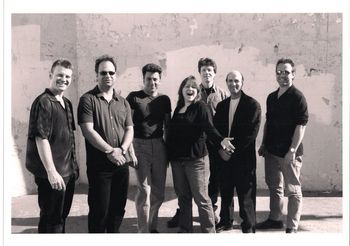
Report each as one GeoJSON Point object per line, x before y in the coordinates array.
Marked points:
{"type": "Point", "coordinates": [282, 147]}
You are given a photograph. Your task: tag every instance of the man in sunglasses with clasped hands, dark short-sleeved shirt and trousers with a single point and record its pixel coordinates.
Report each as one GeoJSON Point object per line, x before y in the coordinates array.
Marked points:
{"type": "Point", "coordinates": [106, 123]}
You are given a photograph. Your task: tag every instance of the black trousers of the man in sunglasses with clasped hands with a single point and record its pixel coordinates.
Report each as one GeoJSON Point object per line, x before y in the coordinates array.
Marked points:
{"type": "Point", "coordinates": [107, 199]}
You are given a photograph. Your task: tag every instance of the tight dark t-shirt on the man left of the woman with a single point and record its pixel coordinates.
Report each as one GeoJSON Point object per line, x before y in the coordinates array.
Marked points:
{"type": "Point", "coordinates": [148, 113]}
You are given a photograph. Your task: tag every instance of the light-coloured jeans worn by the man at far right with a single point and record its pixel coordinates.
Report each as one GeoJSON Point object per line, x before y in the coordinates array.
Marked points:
{"type": "Point", "coordinates": [277, 172]}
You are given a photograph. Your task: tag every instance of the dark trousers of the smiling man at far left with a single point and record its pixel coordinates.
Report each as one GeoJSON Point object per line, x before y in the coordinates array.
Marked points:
{"type": "Point", "coordinates": [54, 205]}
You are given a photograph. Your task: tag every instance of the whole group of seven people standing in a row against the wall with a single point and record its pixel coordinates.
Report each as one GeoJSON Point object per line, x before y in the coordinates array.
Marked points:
{"type": "Point", "coordinates": [209, 141]}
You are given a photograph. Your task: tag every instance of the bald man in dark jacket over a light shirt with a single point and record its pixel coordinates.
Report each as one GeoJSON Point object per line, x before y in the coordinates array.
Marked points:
{"type": "Point", "coordinates": [238, 117]}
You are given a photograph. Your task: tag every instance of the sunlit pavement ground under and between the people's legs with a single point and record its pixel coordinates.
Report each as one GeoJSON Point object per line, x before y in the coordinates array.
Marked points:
{"type": "Point", "coordinates": [322, 213]}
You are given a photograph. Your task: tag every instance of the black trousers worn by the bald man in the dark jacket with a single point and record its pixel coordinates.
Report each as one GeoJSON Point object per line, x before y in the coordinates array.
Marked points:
{"type": "Point", "coordinates": [244, 180]}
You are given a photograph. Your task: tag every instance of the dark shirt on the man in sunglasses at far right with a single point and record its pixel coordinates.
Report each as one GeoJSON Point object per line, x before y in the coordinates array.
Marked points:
{"type": "Point", "coordinates": [282, 116]}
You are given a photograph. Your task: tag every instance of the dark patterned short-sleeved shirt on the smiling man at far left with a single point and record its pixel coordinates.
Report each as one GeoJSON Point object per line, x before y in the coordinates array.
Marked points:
{"type": "Point", "coordinates": [49, 120]}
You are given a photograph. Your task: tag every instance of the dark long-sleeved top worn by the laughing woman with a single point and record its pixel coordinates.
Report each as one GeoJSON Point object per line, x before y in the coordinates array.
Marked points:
{"type": "Point", "coordinates": [188, 133]}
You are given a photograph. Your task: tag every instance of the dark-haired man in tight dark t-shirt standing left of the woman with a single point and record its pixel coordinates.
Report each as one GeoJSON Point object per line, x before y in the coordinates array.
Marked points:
{"type": "Point", "coordinates": [151, 114]}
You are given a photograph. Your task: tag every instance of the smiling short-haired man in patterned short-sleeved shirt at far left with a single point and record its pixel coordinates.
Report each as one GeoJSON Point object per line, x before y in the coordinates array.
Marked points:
{"type": "Point", "coordinates": [50, 152]}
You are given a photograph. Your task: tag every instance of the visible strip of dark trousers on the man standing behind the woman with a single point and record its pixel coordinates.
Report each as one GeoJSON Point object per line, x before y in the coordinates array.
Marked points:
{"type": "Point", "coordinates": [213, 187]}
